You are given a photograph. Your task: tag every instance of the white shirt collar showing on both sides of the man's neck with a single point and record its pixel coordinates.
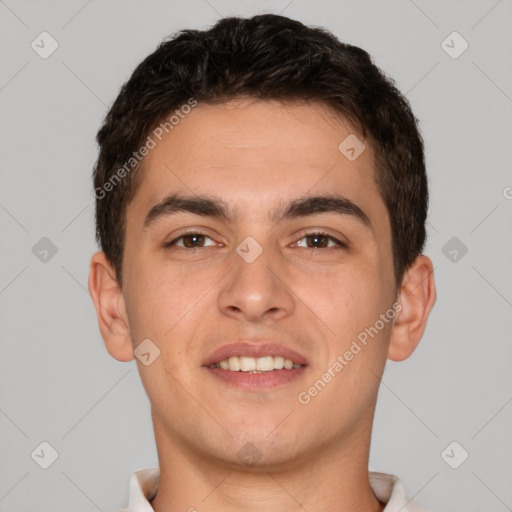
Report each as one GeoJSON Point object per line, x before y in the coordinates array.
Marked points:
{"type": "Point", "coordinates": [386, 487]}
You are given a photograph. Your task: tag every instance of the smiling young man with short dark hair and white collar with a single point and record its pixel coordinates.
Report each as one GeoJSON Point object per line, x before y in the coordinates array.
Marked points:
{"type": "Point", "coordinates": [261, 205]}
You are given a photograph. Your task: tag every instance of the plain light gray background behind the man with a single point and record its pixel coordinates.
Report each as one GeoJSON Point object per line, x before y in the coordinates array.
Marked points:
{"type": "Point", "coordinates": [58, 383]}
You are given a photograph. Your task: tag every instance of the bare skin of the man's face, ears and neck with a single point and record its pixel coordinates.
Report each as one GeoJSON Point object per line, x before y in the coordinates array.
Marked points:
{"type": "Point", "coordinates": [254, 155]}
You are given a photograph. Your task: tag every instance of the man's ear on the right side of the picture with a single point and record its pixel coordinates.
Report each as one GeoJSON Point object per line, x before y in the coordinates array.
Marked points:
{"type": "Point", "coordinates": [417, 297]}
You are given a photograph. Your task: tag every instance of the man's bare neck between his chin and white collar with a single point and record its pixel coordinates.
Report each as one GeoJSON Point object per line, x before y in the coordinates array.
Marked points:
{"type": "Point", "coordinates": [334, 477]}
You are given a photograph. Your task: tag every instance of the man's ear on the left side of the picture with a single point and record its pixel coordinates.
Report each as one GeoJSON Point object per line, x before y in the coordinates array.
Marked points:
{"type": "Point", "coordinates": [110, 308]}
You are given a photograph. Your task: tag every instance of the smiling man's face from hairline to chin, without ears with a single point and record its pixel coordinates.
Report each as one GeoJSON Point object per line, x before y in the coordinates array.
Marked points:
{"type": "Point", "coordinates": [260, 265]}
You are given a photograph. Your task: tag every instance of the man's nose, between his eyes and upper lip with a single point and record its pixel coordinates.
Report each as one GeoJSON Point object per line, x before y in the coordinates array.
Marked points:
{"type": "Point", "coordinates": [256, 290]}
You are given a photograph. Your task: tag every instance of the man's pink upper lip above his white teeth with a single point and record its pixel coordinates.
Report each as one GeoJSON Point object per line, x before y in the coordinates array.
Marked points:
{"type": "Point", "coordinates": [253, 349]}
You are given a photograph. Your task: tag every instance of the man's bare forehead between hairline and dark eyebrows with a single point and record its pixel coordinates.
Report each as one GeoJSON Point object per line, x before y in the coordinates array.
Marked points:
{"type": "Point", "coordinates": [257, 153]}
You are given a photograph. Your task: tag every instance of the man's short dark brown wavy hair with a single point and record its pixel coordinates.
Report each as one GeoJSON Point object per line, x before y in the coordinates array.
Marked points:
{"type": "Point", "coordinates": [267, 57]}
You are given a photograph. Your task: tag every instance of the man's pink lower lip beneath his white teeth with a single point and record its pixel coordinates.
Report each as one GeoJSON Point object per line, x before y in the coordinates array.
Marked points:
{"type": "Point", "coordinates": [257, 381]}
